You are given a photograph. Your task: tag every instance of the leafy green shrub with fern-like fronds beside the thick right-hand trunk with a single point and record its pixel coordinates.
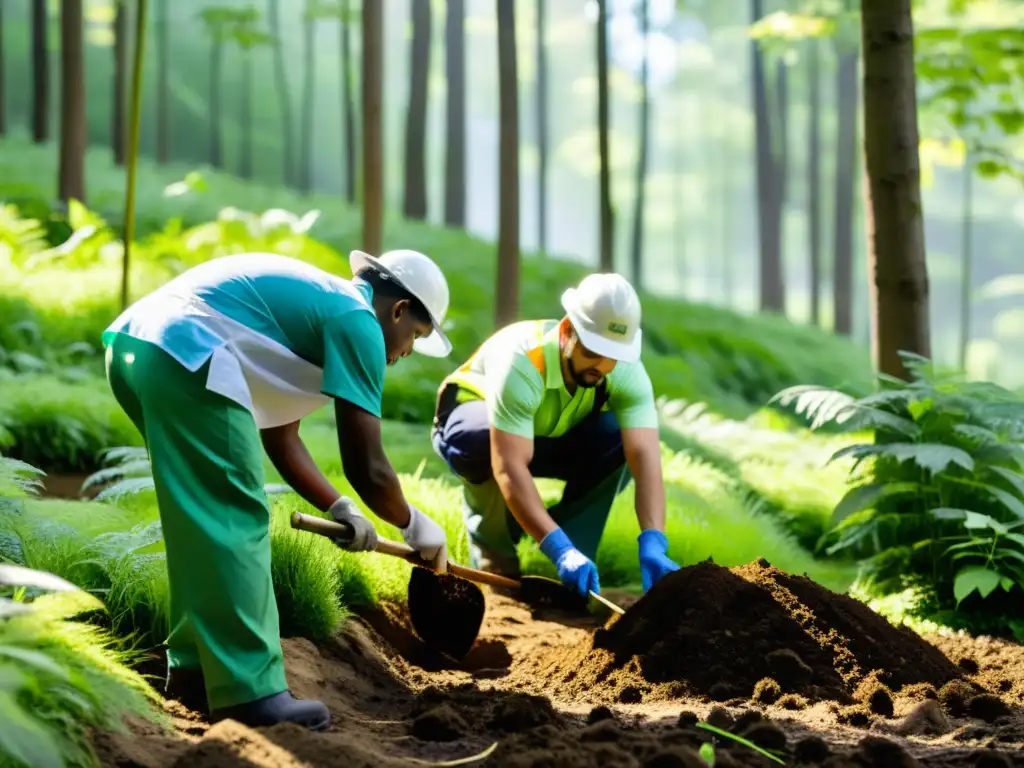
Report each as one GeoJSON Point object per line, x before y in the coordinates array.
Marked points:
{"type": "Point", "coordinates": [938, 503]}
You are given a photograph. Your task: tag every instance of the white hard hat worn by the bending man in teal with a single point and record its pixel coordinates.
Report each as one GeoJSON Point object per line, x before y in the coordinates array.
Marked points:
{"type": "Point", "coordinates": [422, 278]}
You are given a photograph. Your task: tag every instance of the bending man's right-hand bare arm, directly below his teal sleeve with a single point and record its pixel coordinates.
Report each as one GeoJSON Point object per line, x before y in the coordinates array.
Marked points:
{"type": "Point", "coordinates": [366, 465]}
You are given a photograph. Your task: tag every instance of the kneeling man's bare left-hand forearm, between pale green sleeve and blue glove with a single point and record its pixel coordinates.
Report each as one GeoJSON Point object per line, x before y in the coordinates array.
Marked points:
{"type": "Point", "coordinates": [510, 457]}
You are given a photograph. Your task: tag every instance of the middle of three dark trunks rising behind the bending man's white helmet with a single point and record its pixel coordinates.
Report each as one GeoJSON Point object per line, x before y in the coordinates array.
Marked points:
{"type": "Point", "coordinates": [415, 200]}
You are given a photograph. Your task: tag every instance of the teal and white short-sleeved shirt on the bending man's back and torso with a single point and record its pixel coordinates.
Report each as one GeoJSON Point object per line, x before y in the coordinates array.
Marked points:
{"type": "Point", "coordinates": [282, 336]}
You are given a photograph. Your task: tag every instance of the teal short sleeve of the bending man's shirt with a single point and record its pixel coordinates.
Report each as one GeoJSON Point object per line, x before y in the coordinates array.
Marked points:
{"type": "Point", "coordinates": [355, 361]}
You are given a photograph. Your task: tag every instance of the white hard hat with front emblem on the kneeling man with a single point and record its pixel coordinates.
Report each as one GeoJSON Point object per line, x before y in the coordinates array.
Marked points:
{"type": "Point", "coordinates": [605, 312]}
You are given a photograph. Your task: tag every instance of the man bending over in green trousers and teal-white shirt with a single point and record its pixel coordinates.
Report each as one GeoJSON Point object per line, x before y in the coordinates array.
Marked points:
{"type": "Point", "coordinates": [223, 362]}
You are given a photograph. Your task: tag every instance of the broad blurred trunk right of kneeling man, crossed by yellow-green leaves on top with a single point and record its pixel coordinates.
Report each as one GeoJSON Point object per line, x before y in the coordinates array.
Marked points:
{"type": "Point", "coordinates": [770, 205]}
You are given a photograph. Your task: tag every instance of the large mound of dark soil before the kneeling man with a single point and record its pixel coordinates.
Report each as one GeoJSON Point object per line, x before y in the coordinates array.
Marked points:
{"type": "Point", "coordinates": [717, 632]}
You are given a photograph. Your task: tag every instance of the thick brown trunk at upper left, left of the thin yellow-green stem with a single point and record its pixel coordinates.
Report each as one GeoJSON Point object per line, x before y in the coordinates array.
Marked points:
{"type": "Point", "coordinates": [73, 123]}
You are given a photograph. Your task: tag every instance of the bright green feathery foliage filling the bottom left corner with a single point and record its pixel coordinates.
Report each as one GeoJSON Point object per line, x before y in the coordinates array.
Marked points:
{"type": "Point", "coordinates": [60, 677]}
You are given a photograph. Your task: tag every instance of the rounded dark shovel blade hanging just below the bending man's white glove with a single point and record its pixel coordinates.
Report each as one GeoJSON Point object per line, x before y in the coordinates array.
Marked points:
{"type": "Point", "coordinates": [446, 612]}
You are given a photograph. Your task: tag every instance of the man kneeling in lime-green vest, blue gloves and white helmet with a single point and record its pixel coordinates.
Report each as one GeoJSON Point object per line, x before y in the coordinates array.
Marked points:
{"type": "Point", "coordinates": [567, 400]}
